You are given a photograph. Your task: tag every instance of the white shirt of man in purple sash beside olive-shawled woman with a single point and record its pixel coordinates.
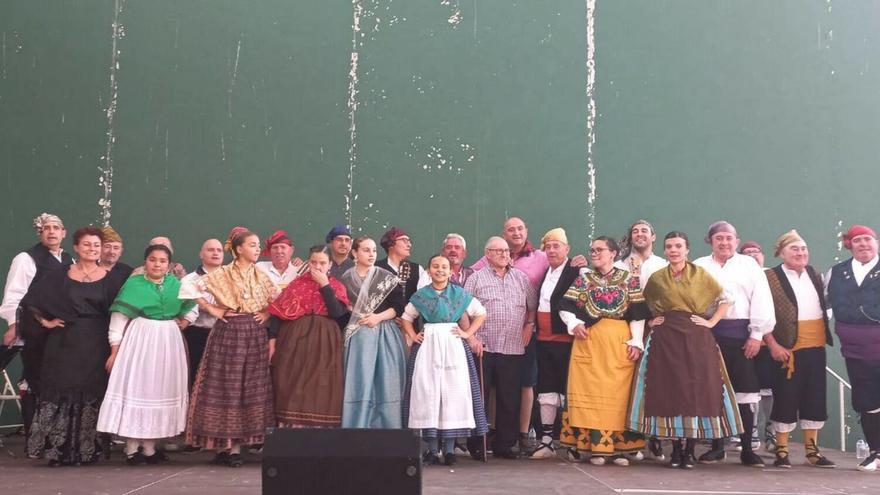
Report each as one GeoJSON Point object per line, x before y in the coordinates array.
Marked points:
{"type": "Point", "coordinates": [748, 290]}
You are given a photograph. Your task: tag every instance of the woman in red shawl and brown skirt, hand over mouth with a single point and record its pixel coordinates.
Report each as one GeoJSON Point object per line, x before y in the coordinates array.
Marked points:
{"type": "Point", "coordinates": [306, 347]}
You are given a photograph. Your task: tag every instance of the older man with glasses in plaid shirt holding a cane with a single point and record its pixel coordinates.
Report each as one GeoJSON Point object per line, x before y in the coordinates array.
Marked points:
{"type": "Point", "coordinates": [511, 302]}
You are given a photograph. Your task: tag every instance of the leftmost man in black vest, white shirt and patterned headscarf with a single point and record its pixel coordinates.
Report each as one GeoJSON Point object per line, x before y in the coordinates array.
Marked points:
{"type": "Point", "coordinates": [28, 267]}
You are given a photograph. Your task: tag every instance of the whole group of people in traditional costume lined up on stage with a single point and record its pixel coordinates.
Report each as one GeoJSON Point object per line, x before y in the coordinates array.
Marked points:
{"type": "Point", "coordinates": [620, 349]}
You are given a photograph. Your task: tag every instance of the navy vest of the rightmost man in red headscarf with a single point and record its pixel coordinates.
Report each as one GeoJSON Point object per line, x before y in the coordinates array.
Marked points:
{"type": "Point", "coordinates": [853, 303]}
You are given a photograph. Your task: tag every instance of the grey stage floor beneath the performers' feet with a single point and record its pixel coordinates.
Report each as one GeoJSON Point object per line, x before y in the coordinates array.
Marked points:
{"type": "Point", "coordinates": [190, 474]}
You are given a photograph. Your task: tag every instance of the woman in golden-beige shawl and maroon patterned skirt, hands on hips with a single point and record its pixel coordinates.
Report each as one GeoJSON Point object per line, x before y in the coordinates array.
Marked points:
{"type": "Point", "coordinates": [231, 401]}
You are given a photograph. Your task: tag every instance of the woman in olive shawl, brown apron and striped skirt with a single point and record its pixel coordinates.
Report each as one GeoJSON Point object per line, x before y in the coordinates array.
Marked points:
{"type": "Point", "coordinates": [681, 388]}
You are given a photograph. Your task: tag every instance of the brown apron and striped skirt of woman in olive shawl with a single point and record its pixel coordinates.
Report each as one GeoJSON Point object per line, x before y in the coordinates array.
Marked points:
{"type": "Point", "coordinates": [681, 388]}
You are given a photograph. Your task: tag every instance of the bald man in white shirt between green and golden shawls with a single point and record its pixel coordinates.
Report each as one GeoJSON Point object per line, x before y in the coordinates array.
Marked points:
{"type": "Point", "coordinates": [196, 334]}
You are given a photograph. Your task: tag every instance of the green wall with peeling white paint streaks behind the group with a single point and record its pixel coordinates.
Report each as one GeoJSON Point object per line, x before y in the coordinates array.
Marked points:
{"type": "Point", "coordinates": [464, 112]}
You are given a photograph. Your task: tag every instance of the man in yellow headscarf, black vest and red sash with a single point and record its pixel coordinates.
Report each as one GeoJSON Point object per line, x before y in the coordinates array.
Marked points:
{"type": "Point", "coordinates": [553, 341]}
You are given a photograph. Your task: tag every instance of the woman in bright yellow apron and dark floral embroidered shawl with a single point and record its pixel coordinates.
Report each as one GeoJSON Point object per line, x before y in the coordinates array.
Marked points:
{"type": "Point", "coordinates": [605, 311]}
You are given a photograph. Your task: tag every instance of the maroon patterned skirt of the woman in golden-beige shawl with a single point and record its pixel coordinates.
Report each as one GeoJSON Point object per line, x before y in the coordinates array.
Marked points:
{"type": "Point", "coordinates": [232, 396]}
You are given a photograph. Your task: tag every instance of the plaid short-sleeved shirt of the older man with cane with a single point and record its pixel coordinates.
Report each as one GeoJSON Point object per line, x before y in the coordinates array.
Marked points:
{"type": "Point", "coordinates": [507, 299]}
